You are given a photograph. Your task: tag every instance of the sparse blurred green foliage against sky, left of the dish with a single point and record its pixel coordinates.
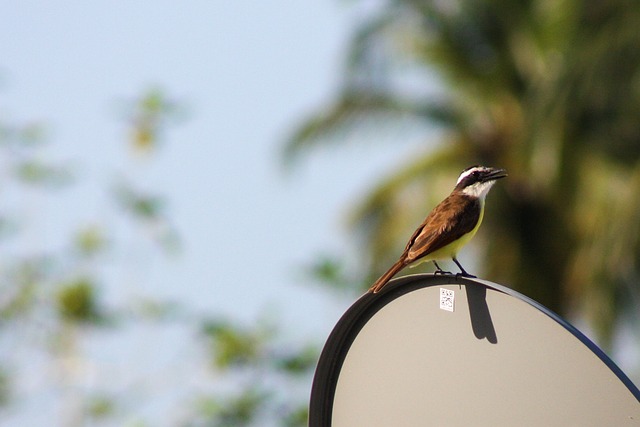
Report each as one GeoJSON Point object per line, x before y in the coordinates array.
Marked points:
{"type": "Point", "coordinates": [53, 297]}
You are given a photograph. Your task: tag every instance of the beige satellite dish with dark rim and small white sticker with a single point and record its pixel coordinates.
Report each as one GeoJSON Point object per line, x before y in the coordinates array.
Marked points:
{"type": "Point", "coordinates": [452, 351]}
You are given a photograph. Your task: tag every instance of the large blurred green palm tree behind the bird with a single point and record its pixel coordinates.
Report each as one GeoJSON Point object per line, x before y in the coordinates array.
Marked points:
{"type": "Point", "coordinates": [549, 90]}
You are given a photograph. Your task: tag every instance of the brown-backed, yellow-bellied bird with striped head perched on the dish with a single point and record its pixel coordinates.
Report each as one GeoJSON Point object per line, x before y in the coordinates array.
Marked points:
{"type": "Point", "coordinates": [449, 226]}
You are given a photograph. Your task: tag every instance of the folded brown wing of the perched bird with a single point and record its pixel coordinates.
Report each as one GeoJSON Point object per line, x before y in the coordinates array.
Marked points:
{"type": "Point", "coordinates": [454, 217]}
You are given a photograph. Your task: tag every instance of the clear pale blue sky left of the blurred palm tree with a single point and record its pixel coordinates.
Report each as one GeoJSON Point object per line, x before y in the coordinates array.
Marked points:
{"type": "Point", "coordinates": [246, 72]}
